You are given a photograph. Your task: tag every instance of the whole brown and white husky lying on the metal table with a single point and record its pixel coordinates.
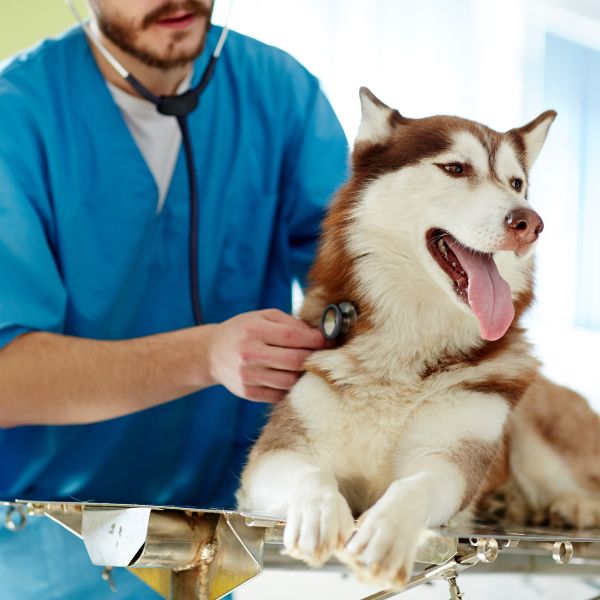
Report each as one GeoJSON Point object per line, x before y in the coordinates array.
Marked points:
{"type": "Point", "coordinates": [407, 422]}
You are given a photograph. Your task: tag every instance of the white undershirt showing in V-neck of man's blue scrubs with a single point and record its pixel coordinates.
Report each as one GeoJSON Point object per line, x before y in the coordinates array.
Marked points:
{"type": "Point", "coordinates": [157, 136]}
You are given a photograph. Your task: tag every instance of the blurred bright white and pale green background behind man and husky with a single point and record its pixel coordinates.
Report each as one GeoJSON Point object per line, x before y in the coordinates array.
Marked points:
{"type": "Point", "coordinates": [501, 62]}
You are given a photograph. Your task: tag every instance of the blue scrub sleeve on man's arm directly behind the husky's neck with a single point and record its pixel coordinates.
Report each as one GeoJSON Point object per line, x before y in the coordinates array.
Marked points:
{"type": "Point", "coordinates": [318, 167]}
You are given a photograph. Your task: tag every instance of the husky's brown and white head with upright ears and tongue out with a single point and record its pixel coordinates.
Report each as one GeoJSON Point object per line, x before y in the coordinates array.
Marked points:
{"type": "Point", "coordinates": [441, 202]}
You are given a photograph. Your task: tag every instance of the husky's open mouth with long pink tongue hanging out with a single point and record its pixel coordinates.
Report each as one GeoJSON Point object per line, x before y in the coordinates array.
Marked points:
{"type": "Point", "coordinates": [476, 281]}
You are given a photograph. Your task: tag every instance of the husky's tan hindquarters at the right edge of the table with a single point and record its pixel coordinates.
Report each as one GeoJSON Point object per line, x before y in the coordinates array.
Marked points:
{"type": "Point", "coordinates": [548, 472]}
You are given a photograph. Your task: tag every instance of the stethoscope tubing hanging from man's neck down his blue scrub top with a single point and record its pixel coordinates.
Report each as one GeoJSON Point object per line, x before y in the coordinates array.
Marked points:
{"type": "Point", "coordinates": [178, 106]}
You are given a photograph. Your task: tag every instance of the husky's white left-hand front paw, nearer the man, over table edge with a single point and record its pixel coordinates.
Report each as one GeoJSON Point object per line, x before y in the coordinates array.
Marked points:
{"type": "Point", "coordinates": [317, 525]}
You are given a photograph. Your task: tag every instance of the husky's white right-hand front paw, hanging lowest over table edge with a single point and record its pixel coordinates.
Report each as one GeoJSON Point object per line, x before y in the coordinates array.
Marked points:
{"type": "Point", "coordinates": [383, 549]}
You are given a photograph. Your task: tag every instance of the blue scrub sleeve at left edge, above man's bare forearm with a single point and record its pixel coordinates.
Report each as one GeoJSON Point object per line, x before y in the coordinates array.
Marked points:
{"type": "Point", "coordinates": [32, 294]}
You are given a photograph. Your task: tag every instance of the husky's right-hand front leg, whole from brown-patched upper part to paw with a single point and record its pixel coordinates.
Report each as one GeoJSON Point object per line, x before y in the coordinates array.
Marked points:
{"type": "Point", "coordinates": [442, 460]}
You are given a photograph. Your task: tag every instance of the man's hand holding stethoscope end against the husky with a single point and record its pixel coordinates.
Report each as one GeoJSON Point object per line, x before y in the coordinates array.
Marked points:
{"type": "Point", "coordinates": [259, 355]}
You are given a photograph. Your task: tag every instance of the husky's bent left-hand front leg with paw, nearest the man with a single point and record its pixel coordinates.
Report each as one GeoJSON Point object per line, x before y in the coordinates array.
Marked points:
{"type": "Point", "coordinates": [286, 483]}
